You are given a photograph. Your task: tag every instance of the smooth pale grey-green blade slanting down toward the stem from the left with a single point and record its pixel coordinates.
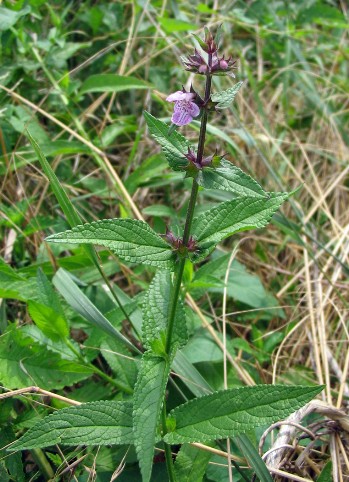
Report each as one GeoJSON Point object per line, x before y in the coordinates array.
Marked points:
{"type": "Point", "coordinates": [81, 303]}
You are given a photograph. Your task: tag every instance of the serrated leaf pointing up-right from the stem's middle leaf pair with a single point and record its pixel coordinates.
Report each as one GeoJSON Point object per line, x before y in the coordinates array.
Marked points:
{"type": "Point", "coordinates": [237, 215]}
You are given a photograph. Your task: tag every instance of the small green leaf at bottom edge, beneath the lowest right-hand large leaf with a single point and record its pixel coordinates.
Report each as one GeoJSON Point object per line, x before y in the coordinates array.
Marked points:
{"type": "Point", "coordinates": [191, 464]}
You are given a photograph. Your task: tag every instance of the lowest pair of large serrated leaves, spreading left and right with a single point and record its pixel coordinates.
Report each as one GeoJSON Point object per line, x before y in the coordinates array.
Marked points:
{"type": "Point", "coordinates": [218, 415]}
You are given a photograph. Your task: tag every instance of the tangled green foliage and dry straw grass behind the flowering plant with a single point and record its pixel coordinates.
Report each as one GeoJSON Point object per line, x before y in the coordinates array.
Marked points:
{"type": "Point", "coordinates": [286, 293]}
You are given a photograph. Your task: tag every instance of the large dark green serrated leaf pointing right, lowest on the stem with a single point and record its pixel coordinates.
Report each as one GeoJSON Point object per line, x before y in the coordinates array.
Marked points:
{"type": "Point", "coordinates": [231, 412]}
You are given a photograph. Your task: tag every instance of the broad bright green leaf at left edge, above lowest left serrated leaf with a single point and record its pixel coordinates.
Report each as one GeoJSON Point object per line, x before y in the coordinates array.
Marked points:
{"type": "Point", "coordinates": [24, 362]}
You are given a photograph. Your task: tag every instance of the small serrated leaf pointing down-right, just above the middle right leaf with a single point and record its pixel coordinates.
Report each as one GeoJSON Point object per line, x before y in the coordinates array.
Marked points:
{"type": "Point", "coordinates": [228, 177]}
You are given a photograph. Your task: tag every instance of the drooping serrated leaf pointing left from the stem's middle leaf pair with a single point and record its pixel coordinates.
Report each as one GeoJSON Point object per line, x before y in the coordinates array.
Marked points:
{"type": "Point", "coordinates": [132, 240]}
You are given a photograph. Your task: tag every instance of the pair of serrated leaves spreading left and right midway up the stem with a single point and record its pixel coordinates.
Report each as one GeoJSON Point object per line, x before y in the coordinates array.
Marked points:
{"type": "Point", "coordinates": [135, 241]}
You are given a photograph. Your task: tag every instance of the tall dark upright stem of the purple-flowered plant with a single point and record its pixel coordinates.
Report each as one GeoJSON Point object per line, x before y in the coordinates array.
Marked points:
{"type": "Point", "coordinates": [180, 269]}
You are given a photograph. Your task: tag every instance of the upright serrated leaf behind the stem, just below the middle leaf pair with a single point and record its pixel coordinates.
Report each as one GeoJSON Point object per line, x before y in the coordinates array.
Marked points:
{"type": "Point", "coordinates": [156, 310]}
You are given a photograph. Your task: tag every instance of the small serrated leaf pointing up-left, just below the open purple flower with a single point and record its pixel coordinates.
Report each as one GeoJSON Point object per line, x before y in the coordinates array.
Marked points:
{"type": "Point", "coordinates": [173, 146]}
